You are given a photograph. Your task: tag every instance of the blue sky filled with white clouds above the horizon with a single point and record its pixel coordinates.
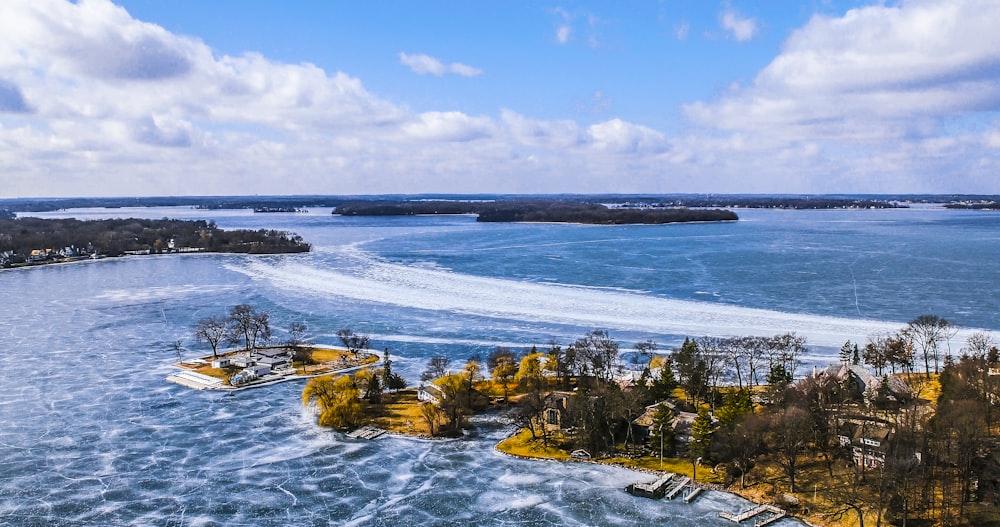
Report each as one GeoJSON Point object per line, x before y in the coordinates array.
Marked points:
{"type": "Point", "coordinates": [169, 97]}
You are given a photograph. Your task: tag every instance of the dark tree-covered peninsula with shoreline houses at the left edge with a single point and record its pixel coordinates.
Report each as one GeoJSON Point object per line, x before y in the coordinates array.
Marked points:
{"type": "Point", "coordinates": [116, 236]}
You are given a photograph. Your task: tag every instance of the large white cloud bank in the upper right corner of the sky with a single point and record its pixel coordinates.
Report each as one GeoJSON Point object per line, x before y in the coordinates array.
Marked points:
{"type": "Point", "coordinates": [879, 68]}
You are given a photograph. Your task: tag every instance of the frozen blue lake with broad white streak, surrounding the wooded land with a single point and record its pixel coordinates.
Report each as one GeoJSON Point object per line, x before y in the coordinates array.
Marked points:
{"type": "Point", "coordinates": [91, 434]}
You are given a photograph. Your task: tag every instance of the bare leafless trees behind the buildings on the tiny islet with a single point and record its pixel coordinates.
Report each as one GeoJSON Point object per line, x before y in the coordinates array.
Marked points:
{"type": "Point", "coordinates": [243, 325]}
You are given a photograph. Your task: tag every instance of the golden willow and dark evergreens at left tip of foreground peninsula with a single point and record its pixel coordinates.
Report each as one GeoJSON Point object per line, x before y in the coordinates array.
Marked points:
{"type": "Point", "coordinates": [345, 401]}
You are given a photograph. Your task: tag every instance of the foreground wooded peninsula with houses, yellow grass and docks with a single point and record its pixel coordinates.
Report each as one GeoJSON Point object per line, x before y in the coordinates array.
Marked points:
{"type": "Point", "coordinates": [867, 439]}
